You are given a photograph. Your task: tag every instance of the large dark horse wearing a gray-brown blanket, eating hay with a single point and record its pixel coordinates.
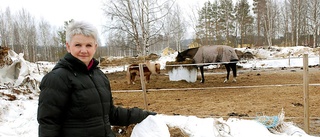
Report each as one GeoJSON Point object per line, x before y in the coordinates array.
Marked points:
{"type": "Point", "coordinates": [212, 54]}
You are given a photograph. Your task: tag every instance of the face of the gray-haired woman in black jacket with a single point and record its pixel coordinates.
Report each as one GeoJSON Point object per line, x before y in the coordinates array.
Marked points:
{"type": "Point", "coordinates": [82, 47]}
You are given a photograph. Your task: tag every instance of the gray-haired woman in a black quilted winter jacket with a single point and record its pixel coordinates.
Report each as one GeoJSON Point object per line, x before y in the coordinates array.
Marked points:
{"type": "Point", "coordinates": [75, 98]}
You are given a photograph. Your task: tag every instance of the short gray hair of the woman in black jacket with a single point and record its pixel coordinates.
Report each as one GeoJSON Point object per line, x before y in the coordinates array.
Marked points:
{"type": "Point", "coordinates": [83, 28]}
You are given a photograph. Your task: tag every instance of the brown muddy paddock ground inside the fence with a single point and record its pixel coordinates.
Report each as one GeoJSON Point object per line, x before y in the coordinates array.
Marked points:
{"type": "Point", "coordinates": [256, 93]}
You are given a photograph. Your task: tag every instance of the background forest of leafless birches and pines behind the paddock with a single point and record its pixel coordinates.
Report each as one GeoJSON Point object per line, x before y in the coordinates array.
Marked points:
{"type": "Point", "coordinates": [142, 27]}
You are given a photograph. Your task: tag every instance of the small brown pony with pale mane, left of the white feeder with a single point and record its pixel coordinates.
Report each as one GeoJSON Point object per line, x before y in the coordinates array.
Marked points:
{"type": "Point", "coordinates": [148, 69]}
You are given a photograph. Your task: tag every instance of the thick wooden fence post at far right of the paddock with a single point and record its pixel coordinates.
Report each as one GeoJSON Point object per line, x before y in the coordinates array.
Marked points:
{"type": "Point", "coordinates": [306, 92]}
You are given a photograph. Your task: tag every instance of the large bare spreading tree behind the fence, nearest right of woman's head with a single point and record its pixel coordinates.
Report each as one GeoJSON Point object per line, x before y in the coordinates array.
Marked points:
{"type": "Point", "coordinates": [140, 19]}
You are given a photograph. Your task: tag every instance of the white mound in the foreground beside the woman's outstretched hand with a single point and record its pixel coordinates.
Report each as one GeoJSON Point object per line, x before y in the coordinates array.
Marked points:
{"type": "Point", "coordinates": [156, 126]}
